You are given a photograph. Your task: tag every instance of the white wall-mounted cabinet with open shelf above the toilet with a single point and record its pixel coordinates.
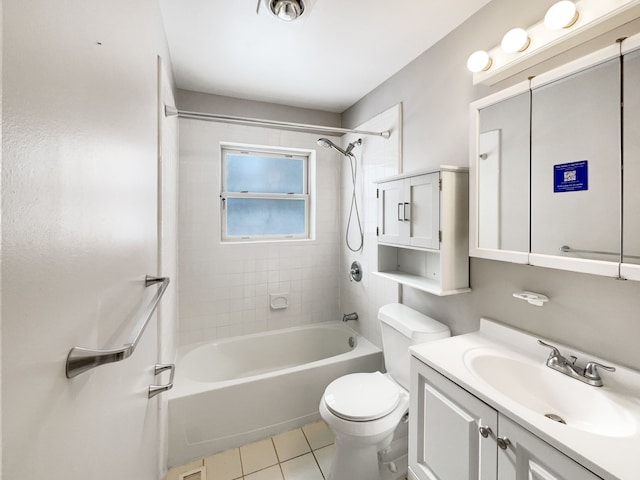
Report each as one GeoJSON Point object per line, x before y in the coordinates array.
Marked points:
{"type": "Point", "coordinates": [423, 230]}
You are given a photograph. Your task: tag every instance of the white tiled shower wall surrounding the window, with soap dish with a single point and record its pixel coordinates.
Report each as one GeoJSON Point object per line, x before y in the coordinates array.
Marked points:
{"type": "Point", "coordinates": [224, 288]}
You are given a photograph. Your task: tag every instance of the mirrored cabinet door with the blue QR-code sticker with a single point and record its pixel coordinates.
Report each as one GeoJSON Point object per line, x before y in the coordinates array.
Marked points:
{"type": "Point", "coordinates": [575, 167]}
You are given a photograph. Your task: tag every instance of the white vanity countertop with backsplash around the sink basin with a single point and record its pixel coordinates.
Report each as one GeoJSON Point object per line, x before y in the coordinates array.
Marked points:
{"type": "Point", "coordinates": [611, 457]}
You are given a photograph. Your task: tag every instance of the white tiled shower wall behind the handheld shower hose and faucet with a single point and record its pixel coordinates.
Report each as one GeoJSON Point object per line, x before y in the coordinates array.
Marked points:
{"type": "Point", "coordinates": [377, 158]}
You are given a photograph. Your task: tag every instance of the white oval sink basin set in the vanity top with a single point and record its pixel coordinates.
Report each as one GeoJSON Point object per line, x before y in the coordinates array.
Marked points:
{"type": "Point", "coordinates": [531, 384]}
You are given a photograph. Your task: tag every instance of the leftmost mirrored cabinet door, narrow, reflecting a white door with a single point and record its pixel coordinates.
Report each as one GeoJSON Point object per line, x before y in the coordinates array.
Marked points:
{"type": "Point", "coordinates": [499, 176]}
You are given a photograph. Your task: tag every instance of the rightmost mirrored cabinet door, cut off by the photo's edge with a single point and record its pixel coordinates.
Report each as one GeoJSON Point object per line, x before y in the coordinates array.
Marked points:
{"type": "Point", "coordinates": [631, 142]}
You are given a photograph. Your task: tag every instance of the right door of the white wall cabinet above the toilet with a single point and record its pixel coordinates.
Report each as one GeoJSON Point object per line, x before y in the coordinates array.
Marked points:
{"type": "Point", "coordinates": [423, 204]}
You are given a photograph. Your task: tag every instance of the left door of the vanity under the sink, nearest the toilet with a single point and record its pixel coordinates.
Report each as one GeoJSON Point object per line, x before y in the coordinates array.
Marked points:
{"type": "Point", "coordinates": [444, 430]}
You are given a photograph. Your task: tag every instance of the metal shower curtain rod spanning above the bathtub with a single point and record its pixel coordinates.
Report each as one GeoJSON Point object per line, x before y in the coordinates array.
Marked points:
{"type": "Point", "coordinates": [212, 117]}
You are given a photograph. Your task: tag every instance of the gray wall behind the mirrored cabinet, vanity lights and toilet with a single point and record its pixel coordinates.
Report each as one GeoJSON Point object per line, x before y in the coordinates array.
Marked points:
{"type": "Point", "coordinates": [598, 315]}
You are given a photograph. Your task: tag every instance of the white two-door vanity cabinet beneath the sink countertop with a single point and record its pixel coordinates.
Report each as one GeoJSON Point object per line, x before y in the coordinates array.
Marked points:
{"type": "Point", "coordinates": [455, 436]}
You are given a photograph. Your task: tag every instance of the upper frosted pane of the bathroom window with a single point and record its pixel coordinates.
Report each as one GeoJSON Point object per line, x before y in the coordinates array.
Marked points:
{"type": "Point", "coordinates": [264, 174]}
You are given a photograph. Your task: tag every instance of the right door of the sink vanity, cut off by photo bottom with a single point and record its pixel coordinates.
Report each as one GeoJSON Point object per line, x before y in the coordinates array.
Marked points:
{"type": "Point", "coordinates": [526, 457]}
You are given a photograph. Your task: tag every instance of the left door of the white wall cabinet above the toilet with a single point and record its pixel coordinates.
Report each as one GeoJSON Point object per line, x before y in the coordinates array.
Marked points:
{"type": "Point", "coordinates": [391, 212]}
